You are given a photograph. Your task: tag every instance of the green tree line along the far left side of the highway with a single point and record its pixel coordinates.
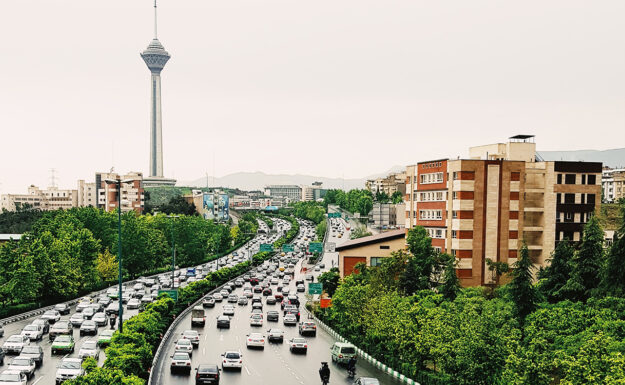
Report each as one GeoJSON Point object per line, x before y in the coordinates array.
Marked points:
{"type": "Point", "coordinates": [68, 252]}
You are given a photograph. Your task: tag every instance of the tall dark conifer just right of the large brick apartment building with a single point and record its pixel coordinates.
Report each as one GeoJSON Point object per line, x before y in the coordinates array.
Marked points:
{"type": "Point", "coordinates": [587, 264]}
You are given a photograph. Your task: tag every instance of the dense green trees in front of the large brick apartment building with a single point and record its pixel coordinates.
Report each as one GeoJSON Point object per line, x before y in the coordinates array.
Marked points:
{"type": "Point", "coordinates": [566, 328]}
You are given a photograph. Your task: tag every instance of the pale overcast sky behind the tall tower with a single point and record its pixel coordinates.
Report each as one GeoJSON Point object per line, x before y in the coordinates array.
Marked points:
{"type": "Point", "coordinates": [343, 88]}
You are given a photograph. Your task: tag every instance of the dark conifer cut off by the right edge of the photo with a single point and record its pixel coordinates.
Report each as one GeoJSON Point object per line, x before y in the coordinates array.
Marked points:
{"type": "Point", "coordinates": [613, 269]}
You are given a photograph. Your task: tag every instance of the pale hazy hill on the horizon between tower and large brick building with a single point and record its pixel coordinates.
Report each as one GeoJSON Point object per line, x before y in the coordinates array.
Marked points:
{"type": "Point", "coordinates": [258, 180]}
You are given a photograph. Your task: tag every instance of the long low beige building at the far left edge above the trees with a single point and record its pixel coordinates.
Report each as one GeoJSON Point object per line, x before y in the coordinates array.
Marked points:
{"type": "Point", "coordinates": [51, 198]}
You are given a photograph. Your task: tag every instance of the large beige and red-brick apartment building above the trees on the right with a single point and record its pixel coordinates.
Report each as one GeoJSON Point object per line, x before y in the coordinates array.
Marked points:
{"type": "Point", "coordinates": [483, 208]}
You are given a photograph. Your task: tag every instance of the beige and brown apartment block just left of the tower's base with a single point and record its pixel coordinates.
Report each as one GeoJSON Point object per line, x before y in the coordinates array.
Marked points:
{"type": "Point", "coordinates": [132, 197]}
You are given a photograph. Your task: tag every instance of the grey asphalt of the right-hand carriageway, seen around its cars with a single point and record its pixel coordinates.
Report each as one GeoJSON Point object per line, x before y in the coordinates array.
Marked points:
{"type": "Point", "coordinates": [275, 364]}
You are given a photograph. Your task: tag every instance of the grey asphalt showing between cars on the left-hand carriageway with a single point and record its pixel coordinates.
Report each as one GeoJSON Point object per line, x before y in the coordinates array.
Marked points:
{"type": "Point", "coordinates": [46, 373]}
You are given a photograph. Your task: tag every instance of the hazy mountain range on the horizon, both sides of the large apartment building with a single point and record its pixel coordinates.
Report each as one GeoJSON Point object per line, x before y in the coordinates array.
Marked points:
{"type": "Point", "coordinates": [614, 158]}
